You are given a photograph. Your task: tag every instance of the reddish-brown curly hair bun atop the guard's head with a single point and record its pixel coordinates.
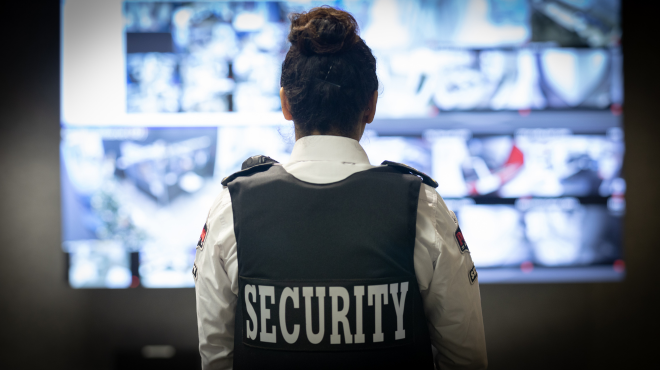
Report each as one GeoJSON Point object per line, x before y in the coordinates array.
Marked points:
{"type": "Point", "coordinates": [323, 30]}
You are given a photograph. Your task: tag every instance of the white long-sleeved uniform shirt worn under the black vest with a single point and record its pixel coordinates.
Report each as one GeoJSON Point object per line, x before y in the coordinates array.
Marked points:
{"type": "Point", "coordinates": [451, 303]}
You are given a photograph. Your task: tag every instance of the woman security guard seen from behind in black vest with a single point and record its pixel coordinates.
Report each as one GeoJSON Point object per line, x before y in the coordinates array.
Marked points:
{"type": "Point", "coordinates": [327, 261]}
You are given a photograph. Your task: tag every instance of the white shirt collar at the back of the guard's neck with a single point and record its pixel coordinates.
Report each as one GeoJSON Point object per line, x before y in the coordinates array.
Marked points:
{"type": "Point", "coordinates": [328, 148]}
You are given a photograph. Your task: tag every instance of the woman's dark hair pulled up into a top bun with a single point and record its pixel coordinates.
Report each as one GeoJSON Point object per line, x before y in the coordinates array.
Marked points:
{"type": "Point", "coordinates": [329, 73]}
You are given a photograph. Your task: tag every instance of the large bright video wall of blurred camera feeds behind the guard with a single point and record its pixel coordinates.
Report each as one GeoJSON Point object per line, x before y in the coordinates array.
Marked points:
{"type": "Point", "coordinates": [513, 106]}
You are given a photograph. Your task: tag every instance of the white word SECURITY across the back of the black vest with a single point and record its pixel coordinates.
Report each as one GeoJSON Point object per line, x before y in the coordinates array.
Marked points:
{"type": "Point", "coordinates": [343, 330]}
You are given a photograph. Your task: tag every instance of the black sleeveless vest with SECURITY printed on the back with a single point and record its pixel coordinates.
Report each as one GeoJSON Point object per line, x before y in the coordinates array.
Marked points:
{"type": "Point", "coordinates": [326, 275]}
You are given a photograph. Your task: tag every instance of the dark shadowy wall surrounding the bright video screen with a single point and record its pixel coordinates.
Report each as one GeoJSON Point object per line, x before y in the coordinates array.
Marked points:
{"type": "Point", "coordinates": [45, 324]}
